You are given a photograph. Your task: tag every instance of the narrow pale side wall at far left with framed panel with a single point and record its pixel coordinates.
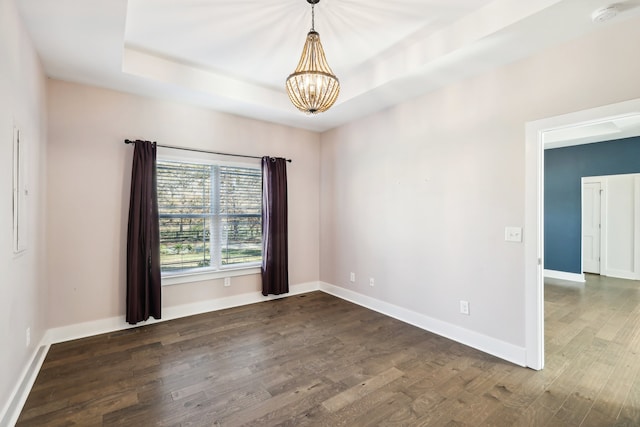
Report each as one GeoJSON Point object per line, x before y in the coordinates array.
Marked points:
{"type": "Point", "coordinates": [23, 290]}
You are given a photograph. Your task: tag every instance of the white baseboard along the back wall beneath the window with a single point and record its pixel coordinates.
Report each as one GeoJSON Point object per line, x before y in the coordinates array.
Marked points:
{"type": "Point", "coordinates": [112, 324]}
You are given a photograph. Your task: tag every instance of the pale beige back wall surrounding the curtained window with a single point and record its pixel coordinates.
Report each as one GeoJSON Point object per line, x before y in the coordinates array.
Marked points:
{"type": "Point", "coordinates": [89, 170]}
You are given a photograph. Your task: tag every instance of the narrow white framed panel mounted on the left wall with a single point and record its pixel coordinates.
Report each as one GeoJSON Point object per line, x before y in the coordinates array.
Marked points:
{"type": "Point", "coordinates": [20, 193]}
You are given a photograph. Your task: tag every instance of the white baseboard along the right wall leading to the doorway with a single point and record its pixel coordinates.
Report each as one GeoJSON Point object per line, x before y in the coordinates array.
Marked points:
{"type": "Point", "coordinates": [498, 348]}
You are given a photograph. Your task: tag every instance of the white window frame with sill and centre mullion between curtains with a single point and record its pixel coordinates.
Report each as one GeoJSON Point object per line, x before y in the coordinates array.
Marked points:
{"type": "Point", "coordinates": [219, 271]}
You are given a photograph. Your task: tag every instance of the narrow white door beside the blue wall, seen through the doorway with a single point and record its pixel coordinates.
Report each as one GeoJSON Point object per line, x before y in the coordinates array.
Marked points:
{"type": "Point", "coordinates": [591, 227]}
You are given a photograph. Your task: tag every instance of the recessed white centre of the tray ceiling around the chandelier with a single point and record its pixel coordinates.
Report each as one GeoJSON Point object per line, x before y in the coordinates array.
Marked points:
{"type": "Point", "coordinates": [260, 41]}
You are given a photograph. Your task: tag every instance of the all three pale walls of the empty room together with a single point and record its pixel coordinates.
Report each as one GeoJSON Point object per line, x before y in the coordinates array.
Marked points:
{"type": "Point", "coordinates": [416, 197]}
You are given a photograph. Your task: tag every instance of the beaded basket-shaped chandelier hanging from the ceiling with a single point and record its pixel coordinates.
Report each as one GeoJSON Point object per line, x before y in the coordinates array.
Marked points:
{"type": "Point", "coordinates": [312, 87]}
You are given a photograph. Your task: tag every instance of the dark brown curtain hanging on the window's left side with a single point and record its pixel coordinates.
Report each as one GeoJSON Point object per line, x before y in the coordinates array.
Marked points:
{"type": "Point", "coordinates": [143, 238]}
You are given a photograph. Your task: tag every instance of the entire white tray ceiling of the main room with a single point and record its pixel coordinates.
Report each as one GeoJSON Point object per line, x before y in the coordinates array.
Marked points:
{"type": "Point", "coordinates": [234, 55]}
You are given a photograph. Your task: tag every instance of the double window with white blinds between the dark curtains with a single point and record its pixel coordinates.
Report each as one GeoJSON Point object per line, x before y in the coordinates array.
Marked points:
{"type": "Point", "coordinates": [210, 216]}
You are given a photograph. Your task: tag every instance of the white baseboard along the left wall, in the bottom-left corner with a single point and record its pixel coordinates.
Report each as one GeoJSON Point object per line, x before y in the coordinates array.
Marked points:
{"type": "Point", "coordinates": [13, 407]}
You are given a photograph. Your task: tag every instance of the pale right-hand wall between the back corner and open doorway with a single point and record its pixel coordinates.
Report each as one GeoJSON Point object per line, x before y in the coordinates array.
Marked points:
{"type": "Point", "coordinates": [418, 196]}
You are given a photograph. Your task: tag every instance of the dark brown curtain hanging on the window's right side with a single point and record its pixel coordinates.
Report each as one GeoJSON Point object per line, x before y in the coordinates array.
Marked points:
{"type": "Point", "coordinates": [275, 252]}
